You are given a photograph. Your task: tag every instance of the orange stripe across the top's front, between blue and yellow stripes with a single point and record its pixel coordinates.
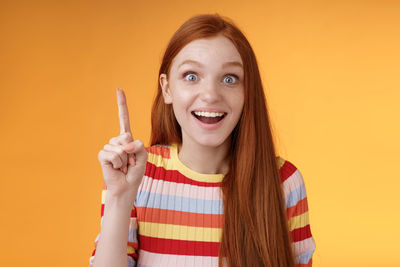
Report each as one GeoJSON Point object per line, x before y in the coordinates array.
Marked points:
{"type": "Point", "coordinates": [178, 217]}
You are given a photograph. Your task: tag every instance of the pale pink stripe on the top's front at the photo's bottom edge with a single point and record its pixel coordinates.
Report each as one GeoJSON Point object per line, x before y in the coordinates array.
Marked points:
{"type": "Point", "coordinates": [168, 260]}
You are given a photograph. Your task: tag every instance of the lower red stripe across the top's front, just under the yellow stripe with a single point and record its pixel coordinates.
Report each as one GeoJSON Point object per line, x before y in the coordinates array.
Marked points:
{"type": "Point", "coordinates": [179, 247]}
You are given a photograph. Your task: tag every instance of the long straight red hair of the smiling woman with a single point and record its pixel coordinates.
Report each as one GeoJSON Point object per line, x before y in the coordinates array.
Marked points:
{"type": "Point", "coordinates": [255, 230]}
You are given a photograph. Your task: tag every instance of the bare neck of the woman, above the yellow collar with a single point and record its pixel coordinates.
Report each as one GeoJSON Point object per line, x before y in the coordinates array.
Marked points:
{"type": "Point", "coordinates": [205, 159]}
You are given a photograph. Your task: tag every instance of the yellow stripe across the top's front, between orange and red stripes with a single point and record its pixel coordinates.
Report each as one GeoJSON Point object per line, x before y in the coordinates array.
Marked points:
{"type": "Point", "coordinates": [180, 232]}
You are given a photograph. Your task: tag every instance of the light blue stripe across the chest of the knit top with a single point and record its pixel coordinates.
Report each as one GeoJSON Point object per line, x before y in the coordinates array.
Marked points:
{"type": "Point", "coordinates": [178, 203]}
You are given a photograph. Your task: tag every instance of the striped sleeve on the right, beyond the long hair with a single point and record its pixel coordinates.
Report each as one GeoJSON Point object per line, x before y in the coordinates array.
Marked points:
{"type": "Point", "coordinates": [303, 243]}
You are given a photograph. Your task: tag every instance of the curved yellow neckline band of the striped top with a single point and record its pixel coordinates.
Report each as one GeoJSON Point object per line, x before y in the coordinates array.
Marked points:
{"type": "Point", "coordinates": [192, 174]}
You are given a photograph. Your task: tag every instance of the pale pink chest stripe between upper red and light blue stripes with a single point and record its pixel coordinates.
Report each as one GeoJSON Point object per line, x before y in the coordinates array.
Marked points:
{"type": "Point", "coordinates": [179, 189]}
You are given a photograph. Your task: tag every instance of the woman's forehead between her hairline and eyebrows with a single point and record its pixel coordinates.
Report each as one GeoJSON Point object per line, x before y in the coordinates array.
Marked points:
{"type": "Point", "coordinates": [214, 50]}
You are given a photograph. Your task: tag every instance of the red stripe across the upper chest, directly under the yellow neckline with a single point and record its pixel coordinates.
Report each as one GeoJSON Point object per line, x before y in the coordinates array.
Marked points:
{"type": "Point", "coordinates": [160, 173]}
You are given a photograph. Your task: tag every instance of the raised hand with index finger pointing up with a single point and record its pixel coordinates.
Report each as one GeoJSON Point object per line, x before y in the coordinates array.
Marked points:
{"type": "Point", "coordinates": [123, 160]}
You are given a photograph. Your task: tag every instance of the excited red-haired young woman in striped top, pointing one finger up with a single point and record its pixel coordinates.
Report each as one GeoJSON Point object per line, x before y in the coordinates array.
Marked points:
{"type": "Point", "coordinates": [209, 191]}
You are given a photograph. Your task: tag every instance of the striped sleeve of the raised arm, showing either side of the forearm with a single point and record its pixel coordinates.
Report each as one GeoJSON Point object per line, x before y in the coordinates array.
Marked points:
{"type": "Point", "coordinates": [133, 244]}
